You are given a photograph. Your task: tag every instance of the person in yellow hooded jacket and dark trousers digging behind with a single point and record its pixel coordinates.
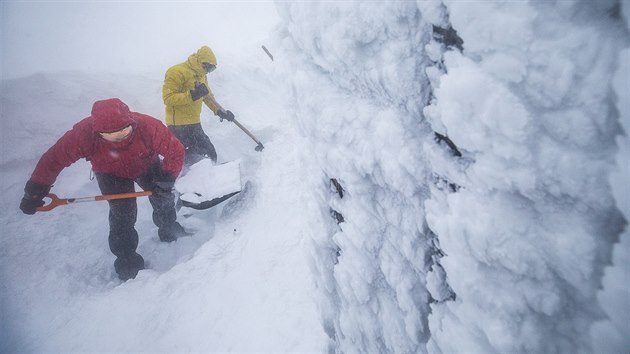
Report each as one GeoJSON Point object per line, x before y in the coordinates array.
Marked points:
{"type": "Point", "coordinates": [185, 88]}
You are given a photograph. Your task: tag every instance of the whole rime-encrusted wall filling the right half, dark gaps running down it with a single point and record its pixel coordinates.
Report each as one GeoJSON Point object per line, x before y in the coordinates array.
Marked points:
{"type": "Point", "coordinates": [526, 215]}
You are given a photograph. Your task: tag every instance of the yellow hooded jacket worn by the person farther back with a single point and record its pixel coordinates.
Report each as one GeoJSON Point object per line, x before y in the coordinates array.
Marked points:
{"type": "Point", "coordinates": [179, 80]}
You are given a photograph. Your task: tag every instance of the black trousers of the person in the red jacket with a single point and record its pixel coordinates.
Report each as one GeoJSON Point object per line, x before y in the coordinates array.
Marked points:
{"type": "Point", "coordinates": [123, 237]}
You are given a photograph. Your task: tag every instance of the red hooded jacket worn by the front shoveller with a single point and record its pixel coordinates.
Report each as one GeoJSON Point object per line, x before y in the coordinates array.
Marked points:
{"type": "Point", "coordinates": [130, 158]}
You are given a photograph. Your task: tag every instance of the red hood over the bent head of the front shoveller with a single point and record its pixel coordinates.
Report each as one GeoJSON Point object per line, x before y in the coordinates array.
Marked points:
{"type": "Point", "coordinates": [110, 115]}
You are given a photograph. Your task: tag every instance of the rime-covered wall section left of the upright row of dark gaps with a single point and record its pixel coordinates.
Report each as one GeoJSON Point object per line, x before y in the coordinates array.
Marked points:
{"type": "Point", "coordinates": [357, 85]}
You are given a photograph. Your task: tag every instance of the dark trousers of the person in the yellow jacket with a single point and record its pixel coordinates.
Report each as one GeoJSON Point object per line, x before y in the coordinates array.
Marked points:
{"type": "Point", "coordinates": [197, 143]}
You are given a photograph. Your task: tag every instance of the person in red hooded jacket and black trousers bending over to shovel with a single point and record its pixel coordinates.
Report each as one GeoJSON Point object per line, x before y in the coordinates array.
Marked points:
{"type": "Point", "coordinates": [123, 147]}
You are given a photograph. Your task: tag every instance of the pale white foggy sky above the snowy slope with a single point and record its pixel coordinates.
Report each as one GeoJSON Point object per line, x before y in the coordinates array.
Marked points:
{"type": "Point", "coordinates": [124, 36]}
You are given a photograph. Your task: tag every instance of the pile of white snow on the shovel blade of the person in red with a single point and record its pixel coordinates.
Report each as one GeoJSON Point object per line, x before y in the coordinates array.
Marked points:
{"type": "Point", "coordinates": [206, 184]}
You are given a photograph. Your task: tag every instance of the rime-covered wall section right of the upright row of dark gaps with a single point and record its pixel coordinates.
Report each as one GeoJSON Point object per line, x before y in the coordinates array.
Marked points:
{"type": "Point", "coordinates": [530, 101]}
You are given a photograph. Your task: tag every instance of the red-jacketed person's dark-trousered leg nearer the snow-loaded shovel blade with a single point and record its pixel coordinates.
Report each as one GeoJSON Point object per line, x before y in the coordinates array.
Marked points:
{"type": "Point", "coordinates": [163, 203]}
